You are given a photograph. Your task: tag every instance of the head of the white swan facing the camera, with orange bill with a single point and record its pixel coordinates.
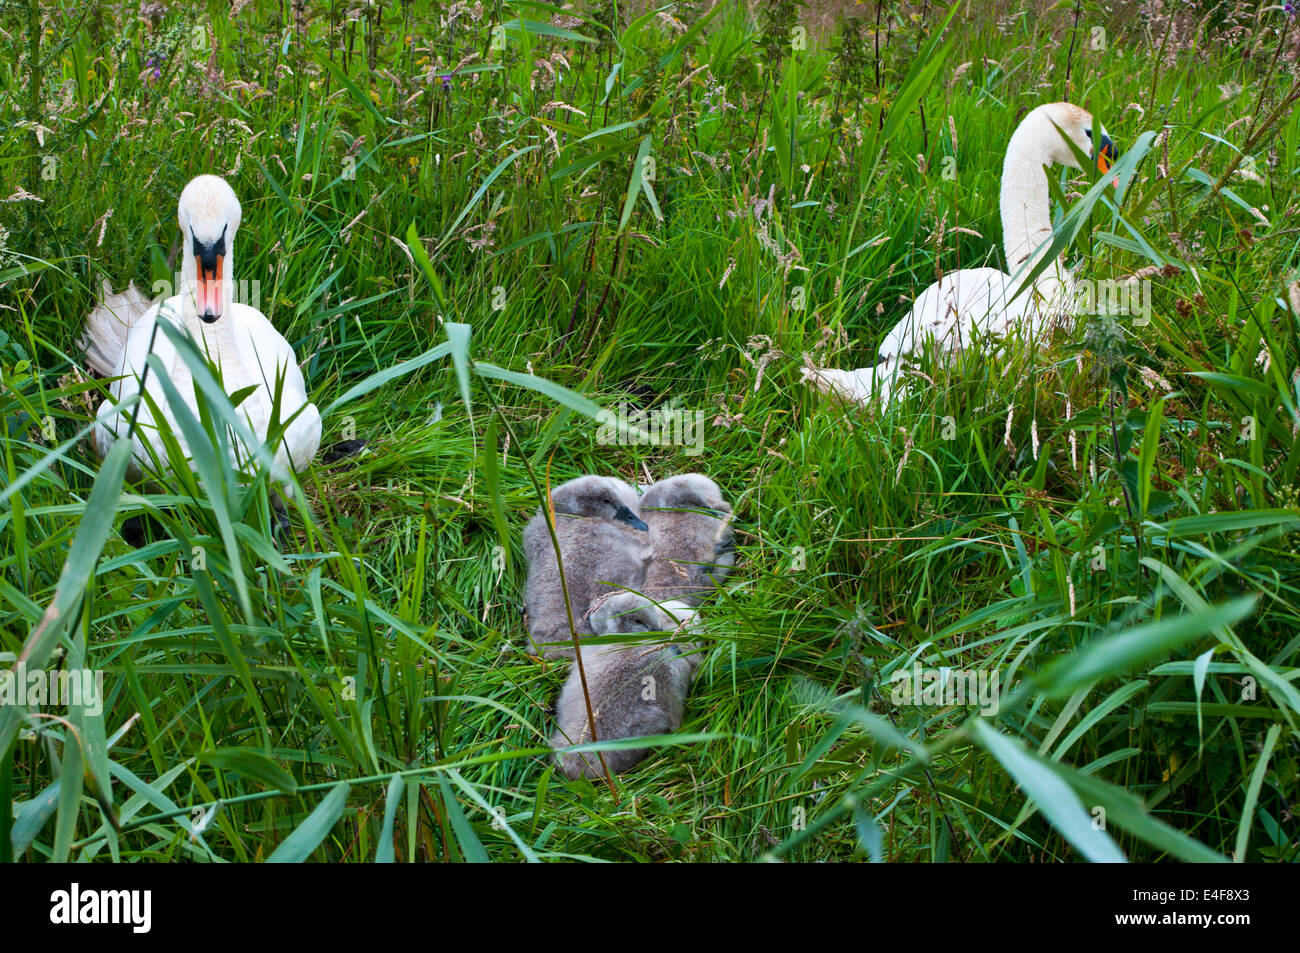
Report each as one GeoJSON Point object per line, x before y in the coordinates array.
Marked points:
{"type": "Point", "coordinates": [209, 215]}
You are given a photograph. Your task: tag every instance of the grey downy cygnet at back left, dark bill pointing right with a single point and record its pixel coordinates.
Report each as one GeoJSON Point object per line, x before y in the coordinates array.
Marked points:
{"type": "Point", "coordinates": [605, 549]}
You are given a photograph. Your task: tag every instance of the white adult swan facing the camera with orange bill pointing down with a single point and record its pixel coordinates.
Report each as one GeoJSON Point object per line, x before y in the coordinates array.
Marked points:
{"type": "Point", "coordinates": [237, 339]}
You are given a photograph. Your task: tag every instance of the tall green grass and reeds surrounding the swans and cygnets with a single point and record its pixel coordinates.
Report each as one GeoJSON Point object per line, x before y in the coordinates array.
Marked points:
{"type": "Point", "coordinates": [359, 691]}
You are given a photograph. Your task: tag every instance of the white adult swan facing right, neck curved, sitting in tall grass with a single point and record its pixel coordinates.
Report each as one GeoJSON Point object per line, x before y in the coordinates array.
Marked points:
{"type": "Point", "coordinates": [985, 301]}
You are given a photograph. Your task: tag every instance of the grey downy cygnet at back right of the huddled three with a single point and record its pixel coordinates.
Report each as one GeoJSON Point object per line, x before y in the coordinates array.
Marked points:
{"type": "Point", "coordinates": [691, 531]}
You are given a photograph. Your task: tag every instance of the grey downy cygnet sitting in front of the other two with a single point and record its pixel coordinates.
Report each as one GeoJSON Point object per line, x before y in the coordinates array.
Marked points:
{"type": "Point", "coordinates": [638, 690]}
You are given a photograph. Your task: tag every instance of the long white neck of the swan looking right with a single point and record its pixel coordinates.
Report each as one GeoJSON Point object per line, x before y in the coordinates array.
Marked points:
{"type": "Point", "coordinates": [1026, 207]}
